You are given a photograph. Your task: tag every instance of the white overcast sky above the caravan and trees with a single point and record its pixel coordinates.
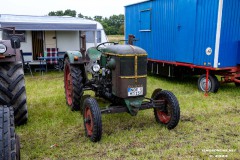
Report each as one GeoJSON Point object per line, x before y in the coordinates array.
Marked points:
{"type": "Point", "coordinates": [91, 8]}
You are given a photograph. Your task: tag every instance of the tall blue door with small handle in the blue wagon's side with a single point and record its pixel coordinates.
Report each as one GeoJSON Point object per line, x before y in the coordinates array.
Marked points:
{"type": "Point", "coordinates": [185, 26]}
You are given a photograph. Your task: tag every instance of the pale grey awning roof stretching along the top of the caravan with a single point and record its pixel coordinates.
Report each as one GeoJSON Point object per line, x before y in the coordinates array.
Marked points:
{"type": "Point", "coordinates": [43, 23]}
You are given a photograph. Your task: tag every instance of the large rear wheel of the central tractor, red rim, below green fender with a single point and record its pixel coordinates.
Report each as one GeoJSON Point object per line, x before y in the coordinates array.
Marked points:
{"type": "Point", "coordinates": [73, 84]}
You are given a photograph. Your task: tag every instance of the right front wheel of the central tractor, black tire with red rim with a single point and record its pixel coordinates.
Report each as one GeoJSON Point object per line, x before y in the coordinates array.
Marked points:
{"type": "Point", "coordinates": [170, 116]}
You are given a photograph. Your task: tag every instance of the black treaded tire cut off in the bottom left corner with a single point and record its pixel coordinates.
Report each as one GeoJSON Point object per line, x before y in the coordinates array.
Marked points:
{"type": "Point", "coordinates": [9, 143]}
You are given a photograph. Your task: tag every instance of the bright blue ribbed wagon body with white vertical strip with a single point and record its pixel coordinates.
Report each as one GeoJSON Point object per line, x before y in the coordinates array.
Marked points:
{"type": "Point", "coordinates": [199, 32]}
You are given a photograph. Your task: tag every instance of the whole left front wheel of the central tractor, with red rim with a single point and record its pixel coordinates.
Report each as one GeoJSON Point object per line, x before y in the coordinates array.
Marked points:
{"type": "Point", "coordinates": [92, 120]}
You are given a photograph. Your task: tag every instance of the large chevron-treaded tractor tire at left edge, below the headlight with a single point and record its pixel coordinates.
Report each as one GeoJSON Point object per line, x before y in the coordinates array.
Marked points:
{"type": "Point", "coordinates": [12, 90]}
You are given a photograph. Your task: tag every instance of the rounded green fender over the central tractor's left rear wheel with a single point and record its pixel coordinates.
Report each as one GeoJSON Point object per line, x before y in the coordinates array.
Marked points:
{"type": "Point", "coordinates": [74, 56]}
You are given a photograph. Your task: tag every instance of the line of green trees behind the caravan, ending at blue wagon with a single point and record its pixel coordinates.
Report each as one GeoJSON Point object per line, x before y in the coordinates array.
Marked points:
{"type": "Point", "coordinates": [114, 25]}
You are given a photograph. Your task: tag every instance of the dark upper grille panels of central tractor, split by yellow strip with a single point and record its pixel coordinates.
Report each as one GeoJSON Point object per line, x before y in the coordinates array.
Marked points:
{"type": "Point", "coordinates": [127, 66]}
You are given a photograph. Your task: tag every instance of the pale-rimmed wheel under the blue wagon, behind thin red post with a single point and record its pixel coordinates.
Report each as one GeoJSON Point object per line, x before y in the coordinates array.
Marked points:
{"type": "Point", "coordinates": [213, 83]}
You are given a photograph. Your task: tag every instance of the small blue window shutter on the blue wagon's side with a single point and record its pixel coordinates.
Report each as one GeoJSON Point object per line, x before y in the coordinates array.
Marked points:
{"type": "Point", "coordinates": [145, 20]}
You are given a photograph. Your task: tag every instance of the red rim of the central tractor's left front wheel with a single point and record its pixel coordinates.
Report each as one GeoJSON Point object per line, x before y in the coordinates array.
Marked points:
{"type": "Point", "coordinates": [88, 120]}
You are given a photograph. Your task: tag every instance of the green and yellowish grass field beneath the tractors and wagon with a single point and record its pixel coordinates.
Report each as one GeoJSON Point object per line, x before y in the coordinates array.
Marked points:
{"type": "Point", "coordinates": [55, 132]}
